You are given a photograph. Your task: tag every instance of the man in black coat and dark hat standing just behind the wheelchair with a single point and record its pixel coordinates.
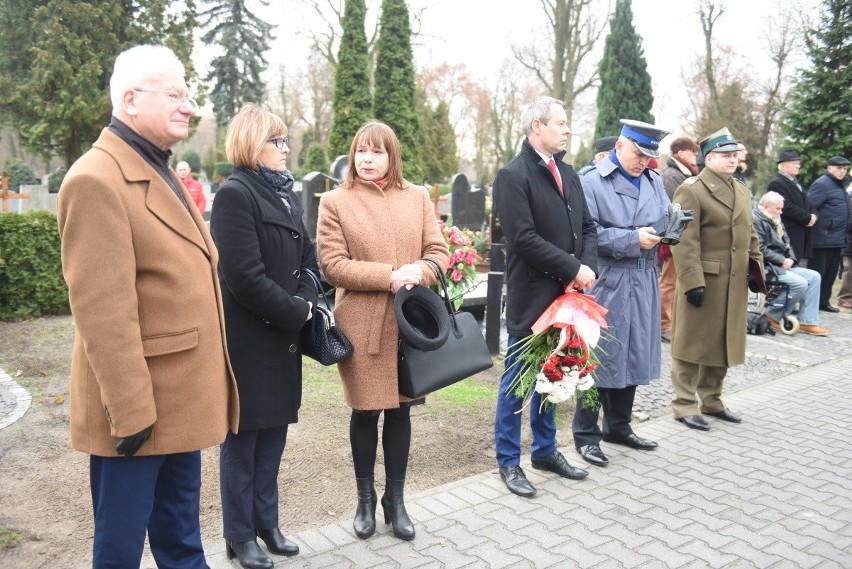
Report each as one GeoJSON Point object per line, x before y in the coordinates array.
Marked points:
{"type": "Point", "coordinates": [796, 217]}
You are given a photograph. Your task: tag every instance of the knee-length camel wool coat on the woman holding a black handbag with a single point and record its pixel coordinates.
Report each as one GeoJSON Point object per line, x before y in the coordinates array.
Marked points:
{"type": "Point", "coordinates": [364, 233]}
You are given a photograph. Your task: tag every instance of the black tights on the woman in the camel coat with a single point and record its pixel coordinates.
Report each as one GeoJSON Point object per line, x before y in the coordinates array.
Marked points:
{"type": "Point", "coordinates": [396, 441]}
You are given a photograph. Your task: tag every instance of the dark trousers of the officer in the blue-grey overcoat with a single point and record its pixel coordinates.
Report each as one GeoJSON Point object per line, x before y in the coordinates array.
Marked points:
{"type": "Point", "coordinates": [617, 406]}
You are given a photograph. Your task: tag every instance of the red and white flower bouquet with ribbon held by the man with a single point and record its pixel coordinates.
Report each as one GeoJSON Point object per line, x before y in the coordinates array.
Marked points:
{"type": "Point", "coordinates": [558, 359]}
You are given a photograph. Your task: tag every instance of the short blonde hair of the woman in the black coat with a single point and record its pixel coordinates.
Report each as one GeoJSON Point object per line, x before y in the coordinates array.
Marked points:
{"type": "Point", "coordinates": [248, 131]}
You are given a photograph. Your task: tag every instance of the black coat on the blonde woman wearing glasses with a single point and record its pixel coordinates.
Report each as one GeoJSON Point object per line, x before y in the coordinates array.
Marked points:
{"type": "Point", "coordinates": [262, 248]}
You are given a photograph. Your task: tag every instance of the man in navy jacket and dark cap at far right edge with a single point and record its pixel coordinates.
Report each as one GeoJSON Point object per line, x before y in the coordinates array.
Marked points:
{"type": "Point", "coordinates": [829, 203]}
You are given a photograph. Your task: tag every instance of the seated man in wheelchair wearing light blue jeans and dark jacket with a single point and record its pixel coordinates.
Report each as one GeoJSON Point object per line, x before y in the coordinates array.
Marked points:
{"type": "Point", "coordinates": [782, 270]}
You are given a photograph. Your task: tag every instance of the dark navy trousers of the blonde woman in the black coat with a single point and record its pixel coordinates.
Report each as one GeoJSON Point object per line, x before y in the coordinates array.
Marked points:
{"type": "Point", "coordinates": [248, 478]}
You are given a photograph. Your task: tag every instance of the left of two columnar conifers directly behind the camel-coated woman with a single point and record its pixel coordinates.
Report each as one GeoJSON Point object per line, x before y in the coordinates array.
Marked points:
{"type": "Point", "coordinates": [352, 103]}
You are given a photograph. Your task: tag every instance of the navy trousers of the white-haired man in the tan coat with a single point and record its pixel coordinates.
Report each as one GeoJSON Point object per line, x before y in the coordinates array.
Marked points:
{"type": "Point", "coordinates": [159, 494]}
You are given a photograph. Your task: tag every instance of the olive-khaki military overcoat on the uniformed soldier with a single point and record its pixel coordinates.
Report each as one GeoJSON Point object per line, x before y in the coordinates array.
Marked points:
{"type": "Point", "coordinates": [713, 253]}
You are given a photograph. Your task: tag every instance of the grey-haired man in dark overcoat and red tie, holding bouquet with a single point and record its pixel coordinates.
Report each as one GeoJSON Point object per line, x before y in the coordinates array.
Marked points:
{"type": "Point", "coordinates": [551, 247]}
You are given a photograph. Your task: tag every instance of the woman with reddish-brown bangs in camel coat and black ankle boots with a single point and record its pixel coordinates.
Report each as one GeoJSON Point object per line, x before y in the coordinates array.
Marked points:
{"type": "Point", "coordinates": [371, 232]}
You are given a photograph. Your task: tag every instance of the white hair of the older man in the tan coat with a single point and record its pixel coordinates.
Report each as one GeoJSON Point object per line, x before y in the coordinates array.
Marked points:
{"type": "Point", "coordinates": [137, 64]}
